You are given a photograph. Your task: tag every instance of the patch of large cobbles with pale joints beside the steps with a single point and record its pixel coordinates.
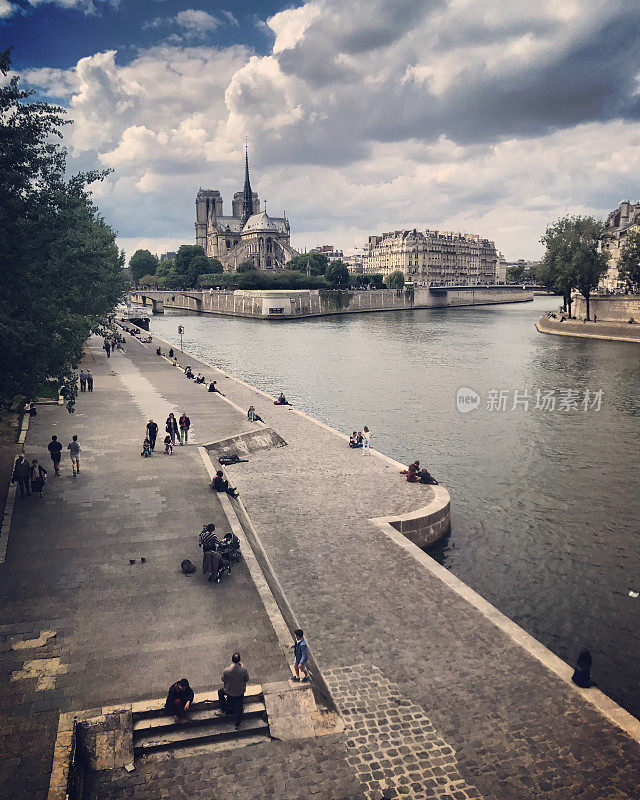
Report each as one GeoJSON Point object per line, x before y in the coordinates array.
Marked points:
{"type": "Point", "coordinates": [391, 742]}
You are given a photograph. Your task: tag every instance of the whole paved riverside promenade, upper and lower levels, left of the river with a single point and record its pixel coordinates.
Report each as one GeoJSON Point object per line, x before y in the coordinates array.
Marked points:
{"type": "Point", "coordinates": [440, 696]}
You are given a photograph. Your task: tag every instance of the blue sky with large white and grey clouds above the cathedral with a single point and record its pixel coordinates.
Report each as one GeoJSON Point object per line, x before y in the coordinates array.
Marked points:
{"type": "Point", "coordinates": [485, 116]}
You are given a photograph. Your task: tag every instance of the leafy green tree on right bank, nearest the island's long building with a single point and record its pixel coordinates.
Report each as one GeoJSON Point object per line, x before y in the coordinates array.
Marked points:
{"type": "Point", "coordinates": [573, 258]}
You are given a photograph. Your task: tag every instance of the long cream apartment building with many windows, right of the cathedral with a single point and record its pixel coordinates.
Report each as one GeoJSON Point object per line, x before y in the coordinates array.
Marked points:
{"type": "Point", "coordinates": [433, 258]}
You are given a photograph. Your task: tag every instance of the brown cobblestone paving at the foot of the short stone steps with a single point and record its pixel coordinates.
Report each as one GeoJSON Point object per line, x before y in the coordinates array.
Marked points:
{"type": "Point", "coordinates": [314, 769]}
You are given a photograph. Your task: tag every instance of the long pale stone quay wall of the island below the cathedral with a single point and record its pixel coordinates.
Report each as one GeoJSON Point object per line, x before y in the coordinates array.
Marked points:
{"type": "Point", "coordinates": [291, 304]}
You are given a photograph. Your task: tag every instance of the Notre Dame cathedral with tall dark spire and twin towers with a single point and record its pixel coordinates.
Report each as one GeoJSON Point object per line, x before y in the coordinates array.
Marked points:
{"type": "Point", "coordinates": [247, 235]}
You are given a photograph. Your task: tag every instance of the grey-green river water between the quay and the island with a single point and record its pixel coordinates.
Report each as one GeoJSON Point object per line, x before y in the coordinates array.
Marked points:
{"type": "Point", "coordinates": [545, 501]}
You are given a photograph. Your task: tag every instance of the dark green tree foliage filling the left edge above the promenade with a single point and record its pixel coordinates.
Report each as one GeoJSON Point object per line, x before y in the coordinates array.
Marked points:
{"type": "Point", "coordinates": [61, 269]}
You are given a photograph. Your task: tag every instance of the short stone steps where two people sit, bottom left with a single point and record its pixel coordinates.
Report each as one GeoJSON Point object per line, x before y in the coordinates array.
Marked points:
{"type": "Point", "coordinates": [154, 730]}
